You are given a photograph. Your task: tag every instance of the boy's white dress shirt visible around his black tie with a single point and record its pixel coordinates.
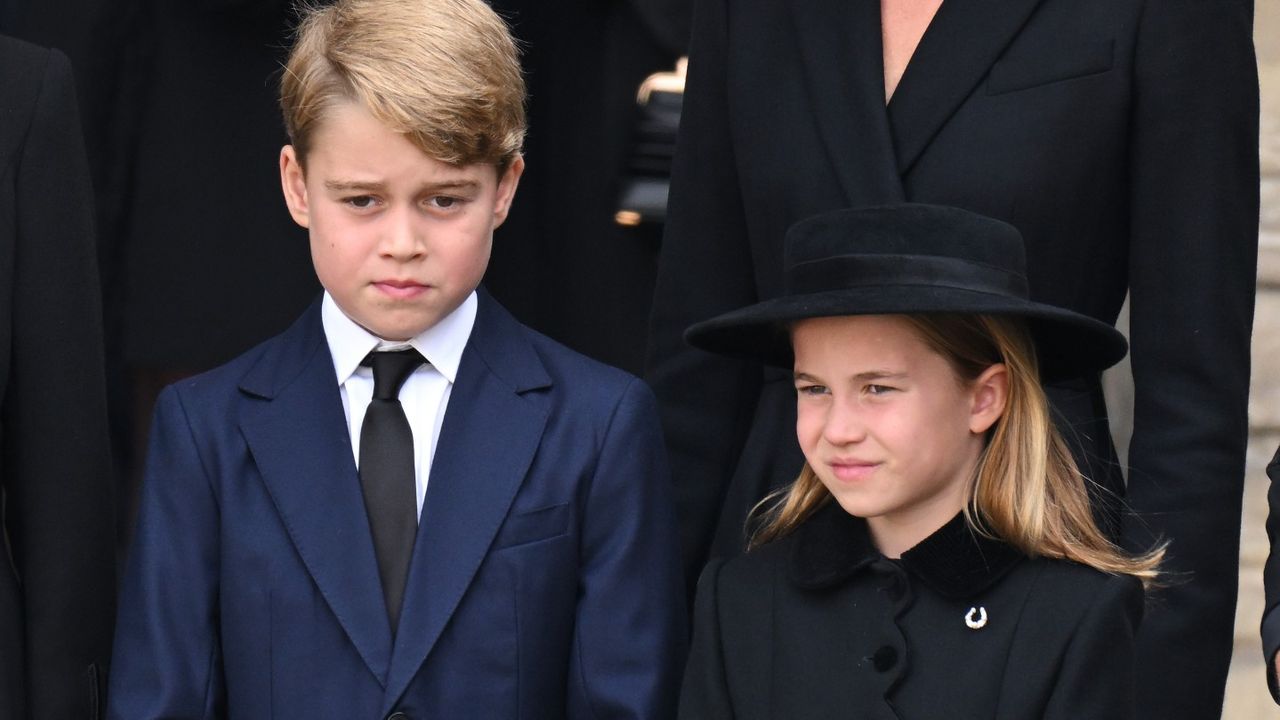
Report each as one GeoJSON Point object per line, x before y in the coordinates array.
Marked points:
{"type": "Point", "coordinates": [426, 395]}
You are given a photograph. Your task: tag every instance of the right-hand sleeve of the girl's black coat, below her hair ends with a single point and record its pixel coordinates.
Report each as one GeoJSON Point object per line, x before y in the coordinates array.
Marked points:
{"type": "Point", "coordinates": [1096, 678]}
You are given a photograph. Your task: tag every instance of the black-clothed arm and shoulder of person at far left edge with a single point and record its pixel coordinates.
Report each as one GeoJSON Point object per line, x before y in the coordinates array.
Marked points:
{"type": "Point", "coordinates": [58, 571]}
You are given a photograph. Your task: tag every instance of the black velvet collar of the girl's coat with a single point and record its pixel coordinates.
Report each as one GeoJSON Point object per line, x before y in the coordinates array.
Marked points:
{"type": "Point", "coordinates": [833, 546]}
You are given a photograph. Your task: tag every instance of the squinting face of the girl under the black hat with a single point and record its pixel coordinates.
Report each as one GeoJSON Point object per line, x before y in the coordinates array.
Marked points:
{"type": "Point", "coordinates": [888, 425]}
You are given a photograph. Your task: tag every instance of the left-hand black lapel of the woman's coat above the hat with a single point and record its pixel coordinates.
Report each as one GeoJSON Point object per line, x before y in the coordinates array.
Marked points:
{"type": "Point", "coordinates": [840, 42]}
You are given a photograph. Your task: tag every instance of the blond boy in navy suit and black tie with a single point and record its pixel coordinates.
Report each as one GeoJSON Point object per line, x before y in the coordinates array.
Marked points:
{"type": "Point", "coordinates": [476, 526]}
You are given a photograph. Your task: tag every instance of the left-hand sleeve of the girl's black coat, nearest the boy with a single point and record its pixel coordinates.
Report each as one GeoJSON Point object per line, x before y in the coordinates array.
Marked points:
{"type": "Point", "coordinates": [705, 695]}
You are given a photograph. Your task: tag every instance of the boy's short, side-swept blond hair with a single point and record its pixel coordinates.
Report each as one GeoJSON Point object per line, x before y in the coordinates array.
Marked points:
{"type": "Point", "coordinates": [445, 74]}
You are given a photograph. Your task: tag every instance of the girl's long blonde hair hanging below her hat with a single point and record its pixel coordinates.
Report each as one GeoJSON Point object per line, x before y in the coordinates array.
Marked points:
{"type": "Point", "coordinates": [1027, 489]}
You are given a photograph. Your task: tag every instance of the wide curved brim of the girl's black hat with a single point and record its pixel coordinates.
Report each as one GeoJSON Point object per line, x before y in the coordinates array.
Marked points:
{"type": "Point", "coordinates": [1068, 344]}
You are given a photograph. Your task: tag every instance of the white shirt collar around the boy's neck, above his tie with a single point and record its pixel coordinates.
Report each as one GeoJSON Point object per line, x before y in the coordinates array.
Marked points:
{"type": "Point", "coordinates": [442, 344]}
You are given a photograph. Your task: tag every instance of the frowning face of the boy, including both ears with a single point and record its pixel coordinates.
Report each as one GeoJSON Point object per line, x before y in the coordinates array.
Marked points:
{"type": "Point", "coordinates": [399, 239]}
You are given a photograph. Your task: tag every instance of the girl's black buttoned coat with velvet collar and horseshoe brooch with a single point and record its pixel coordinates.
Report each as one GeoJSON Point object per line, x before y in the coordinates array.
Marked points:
{"type": "Point", "coordinates": [822, 626]}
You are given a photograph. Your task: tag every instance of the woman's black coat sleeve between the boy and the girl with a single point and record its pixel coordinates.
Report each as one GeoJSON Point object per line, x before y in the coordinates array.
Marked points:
{"type": "Point", "coordinates": [705, 270]}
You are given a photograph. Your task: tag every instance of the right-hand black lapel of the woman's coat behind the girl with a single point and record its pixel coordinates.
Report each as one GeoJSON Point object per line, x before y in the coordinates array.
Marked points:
{"type": "Point", "coordinates": [958, 49]}
